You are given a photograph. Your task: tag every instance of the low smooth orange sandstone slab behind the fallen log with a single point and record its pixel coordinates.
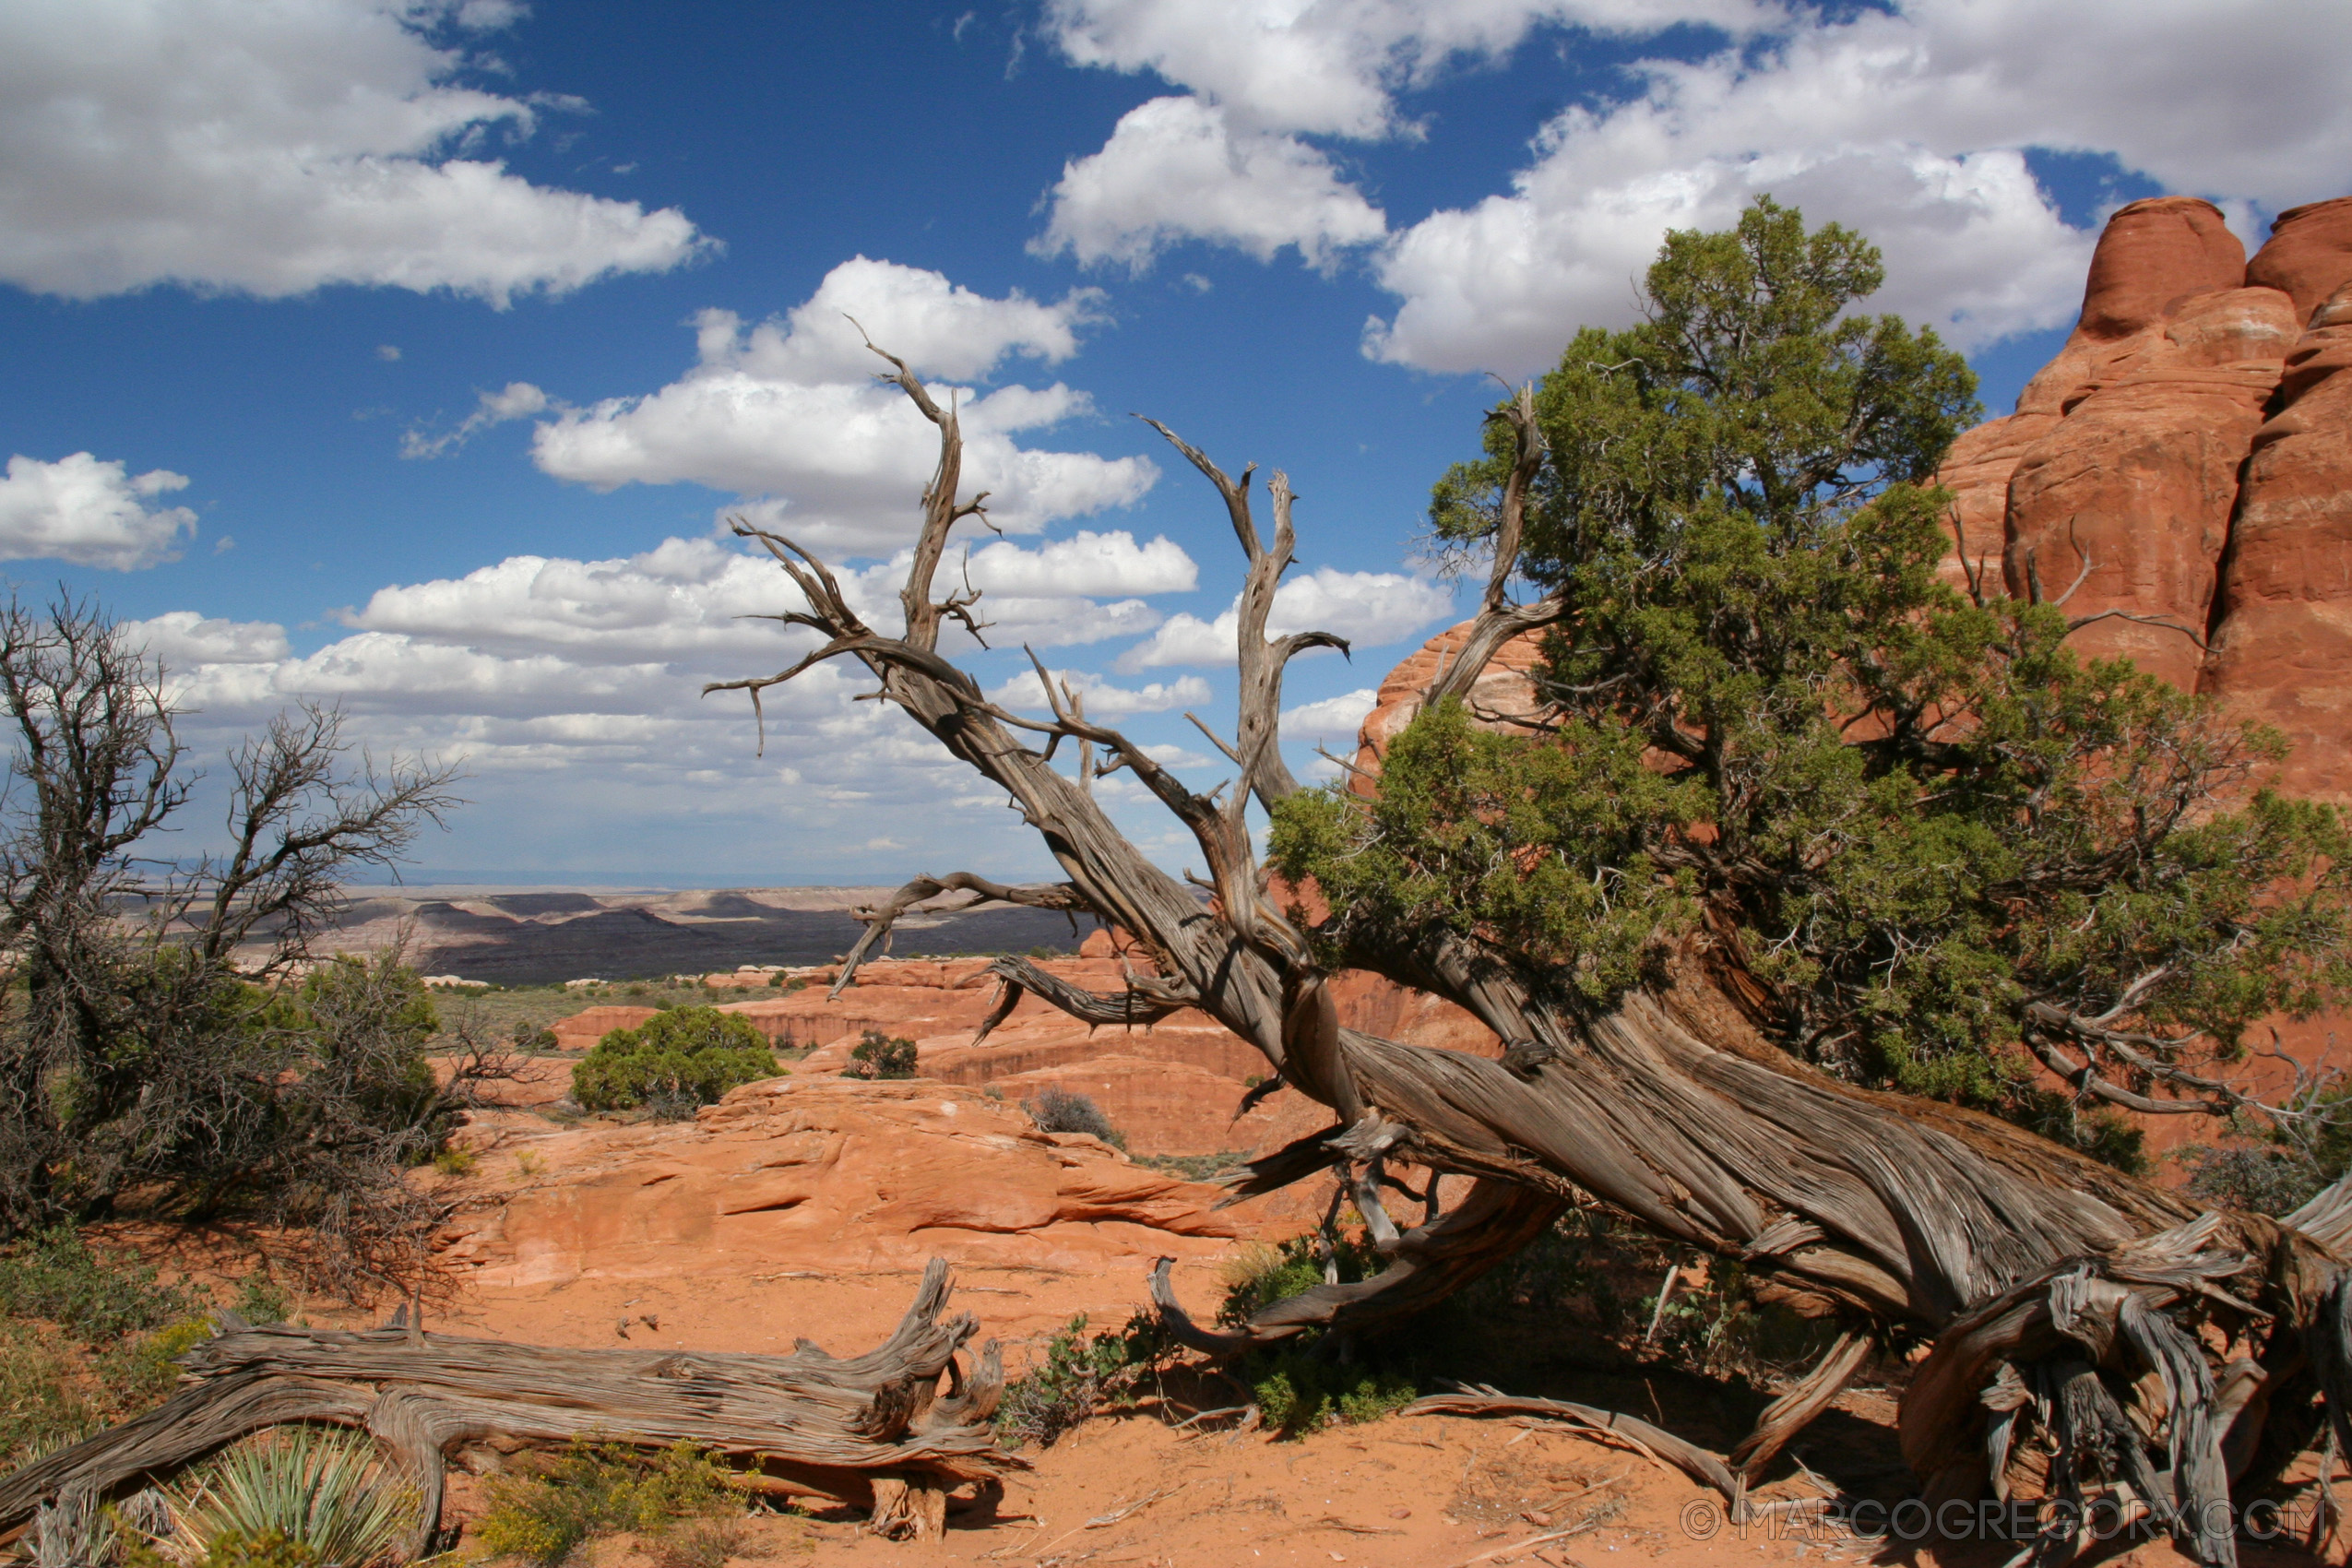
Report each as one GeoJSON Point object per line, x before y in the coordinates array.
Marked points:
{"type": "Point", "coordinates": [820, 1174]}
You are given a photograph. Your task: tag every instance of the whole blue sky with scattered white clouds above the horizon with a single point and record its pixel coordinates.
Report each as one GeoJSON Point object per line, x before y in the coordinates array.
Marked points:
{"type": "Point", "coordinates": [410, 356]}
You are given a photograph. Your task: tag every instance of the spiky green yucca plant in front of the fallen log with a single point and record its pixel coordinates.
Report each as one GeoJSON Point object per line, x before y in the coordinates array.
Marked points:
{"type": "Point", "coordinates": [309, 1496]}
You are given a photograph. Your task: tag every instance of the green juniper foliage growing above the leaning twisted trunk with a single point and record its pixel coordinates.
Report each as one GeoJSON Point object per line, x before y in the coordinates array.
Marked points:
{"type": "Point", "coordinates": [1935, 845]}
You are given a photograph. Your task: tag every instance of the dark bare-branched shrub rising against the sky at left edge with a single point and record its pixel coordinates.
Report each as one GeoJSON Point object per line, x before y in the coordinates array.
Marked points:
{"type": "Point", "coordinates": [166, 1031]}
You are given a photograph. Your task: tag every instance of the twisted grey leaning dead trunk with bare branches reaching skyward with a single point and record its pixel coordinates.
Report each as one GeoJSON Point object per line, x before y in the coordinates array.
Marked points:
{"type": "Point", "coordinates": [1883, 1212]}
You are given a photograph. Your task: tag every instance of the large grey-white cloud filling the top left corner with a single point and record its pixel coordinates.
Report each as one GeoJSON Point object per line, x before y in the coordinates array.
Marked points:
{"type": "Point", "coordinates": [276, 149]}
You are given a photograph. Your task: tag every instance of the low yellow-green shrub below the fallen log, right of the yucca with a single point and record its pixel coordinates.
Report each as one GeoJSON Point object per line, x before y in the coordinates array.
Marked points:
{"type": "Point", "coordinates": [594, 1489]}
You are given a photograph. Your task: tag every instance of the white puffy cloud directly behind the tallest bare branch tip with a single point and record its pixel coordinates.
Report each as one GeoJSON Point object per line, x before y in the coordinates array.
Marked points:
{"type": "Point", "coordinates": [789, 415]}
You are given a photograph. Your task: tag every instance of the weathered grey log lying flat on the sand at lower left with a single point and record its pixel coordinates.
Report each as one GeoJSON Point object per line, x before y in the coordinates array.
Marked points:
{"type": "Point", "coordinates": [874, 1430]}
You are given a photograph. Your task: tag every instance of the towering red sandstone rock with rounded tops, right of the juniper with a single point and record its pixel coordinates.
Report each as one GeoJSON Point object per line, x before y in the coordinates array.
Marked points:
{"type": "Point", "coordinates": [2196, 445]}
